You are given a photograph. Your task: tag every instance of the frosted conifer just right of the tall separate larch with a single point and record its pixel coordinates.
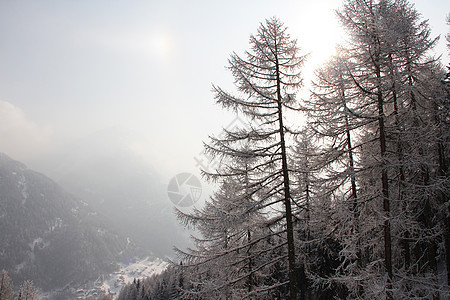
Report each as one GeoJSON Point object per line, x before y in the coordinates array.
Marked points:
{"type": "Point", "coordinates": [332, 110]}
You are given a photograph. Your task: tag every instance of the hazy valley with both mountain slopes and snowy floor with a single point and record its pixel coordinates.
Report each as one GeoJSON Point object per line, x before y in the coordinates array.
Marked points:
{"type": "Point", "coordinates": [108, 211]}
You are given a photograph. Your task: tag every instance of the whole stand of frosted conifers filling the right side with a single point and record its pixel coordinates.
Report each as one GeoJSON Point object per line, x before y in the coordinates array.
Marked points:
{"type": "Point", "coordinates": [355, 204]}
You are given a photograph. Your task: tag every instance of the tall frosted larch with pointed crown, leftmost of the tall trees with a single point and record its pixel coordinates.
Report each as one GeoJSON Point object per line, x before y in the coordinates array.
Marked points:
{"type": "Point", "coordinates": [267, 80]}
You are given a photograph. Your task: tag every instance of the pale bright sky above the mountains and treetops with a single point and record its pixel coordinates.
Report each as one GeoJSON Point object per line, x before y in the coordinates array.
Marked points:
{"type": "Point", "coordinates": [71, 68]}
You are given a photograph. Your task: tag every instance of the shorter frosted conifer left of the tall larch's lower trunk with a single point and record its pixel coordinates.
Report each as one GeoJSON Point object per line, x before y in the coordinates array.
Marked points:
{"type": "Point", "coordinates": [231, 255]}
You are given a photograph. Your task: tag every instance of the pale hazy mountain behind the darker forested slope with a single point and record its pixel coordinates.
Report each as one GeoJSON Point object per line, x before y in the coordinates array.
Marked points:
{"type": "Point", "coordinates": [104, 171]}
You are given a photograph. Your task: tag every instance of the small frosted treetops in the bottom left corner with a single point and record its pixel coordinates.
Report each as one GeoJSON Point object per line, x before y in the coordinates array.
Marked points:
{"type": "Point", "coordinates": [27, 290]}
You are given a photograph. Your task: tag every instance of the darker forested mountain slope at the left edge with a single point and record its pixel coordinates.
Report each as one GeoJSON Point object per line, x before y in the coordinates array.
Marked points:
{"type": "Point", "coordinates": [49, 236]}
